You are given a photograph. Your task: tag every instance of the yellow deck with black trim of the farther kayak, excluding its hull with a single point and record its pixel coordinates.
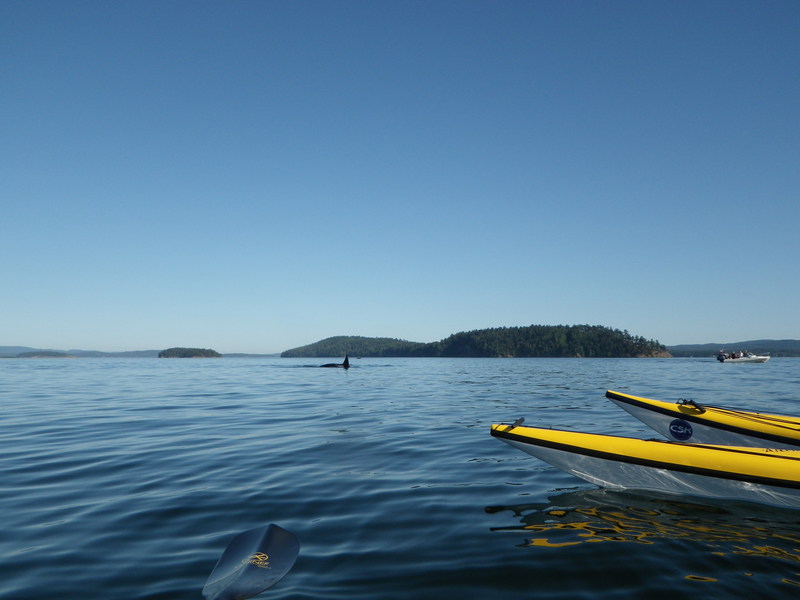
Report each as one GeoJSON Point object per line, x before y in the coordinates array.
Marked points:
{"type": "Point", "coordinates": [782, 429]}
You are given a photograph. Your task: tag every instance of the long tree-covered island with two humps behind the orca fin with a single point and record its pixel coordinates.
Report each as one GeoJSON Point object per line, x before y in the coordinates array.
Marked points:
{"type": "Point", "coordinates": [534, 341]}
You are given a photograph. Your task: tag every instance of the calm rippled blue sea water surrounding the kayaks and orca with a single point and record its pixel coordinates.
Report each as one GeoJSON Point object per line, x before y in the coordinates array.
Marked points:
{"type": "Point", "coordinates": [126, 478]}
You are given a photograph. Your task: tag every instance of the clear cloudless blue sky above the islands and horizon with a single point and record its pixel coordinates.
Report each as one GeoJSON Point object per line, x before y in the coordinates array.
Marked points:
{"type": "Point", "coordinates": [256, 176]}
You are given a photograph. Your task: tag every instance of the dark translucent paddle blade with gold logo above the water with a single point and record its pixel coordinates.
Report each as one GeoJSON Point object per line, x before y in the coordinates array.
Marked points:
{"type": "Point", "coordinates": [254, 561]}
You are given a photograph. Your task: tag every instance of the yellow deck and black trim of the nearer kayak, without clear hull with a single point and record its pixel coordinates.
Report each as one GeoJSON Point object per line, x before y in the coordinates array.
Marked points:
{"type": "Point", "coordinates": [695, 459]}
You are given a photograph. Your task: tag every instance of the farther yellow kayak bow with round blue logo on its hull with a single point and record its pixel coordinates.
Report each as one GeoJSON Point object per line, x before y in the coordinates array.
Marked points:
{"type": "Point", "coordinates": [687, 421]}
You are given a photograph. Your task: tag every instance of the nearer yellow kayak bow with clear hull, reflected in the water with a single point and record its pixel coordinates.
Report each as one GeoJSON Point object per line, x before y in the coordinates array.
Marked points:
{"type": "Point", "coordinates": [766, 475]}
